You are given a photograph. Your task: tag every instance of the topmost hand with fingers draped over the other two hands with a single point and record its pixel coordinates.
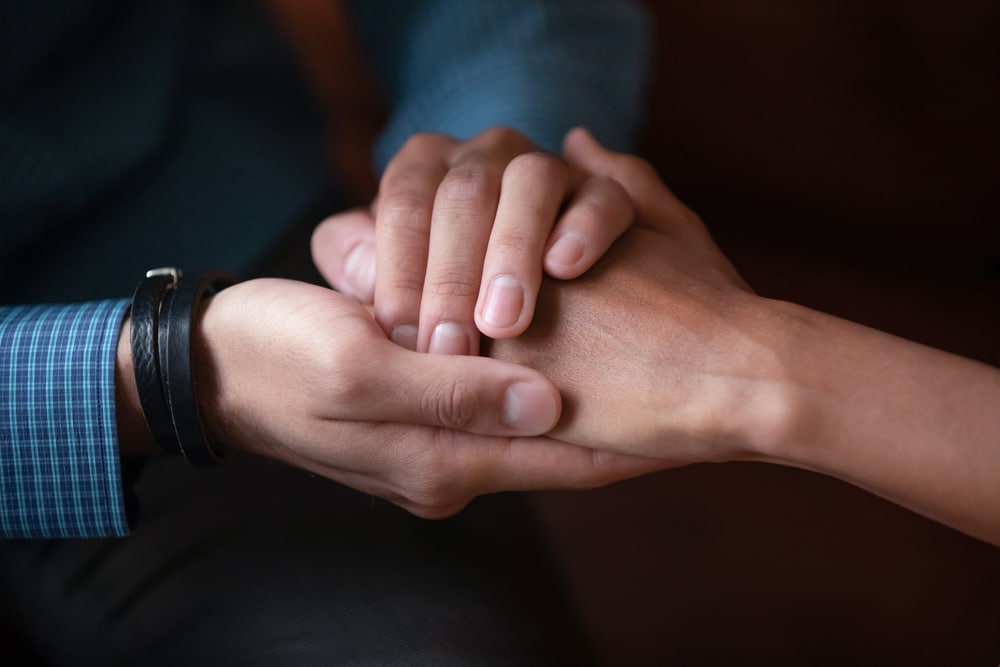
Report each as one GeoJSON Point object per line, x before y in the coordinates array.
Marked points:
{"type": "Point", "coordinates": [461, 231]}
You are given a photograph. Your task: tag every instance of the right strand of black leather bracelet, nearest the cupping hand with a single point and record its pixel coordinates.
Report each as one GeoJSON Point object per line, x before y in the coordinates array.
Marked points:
{"type": "Point", "coordinates": [177, 372]}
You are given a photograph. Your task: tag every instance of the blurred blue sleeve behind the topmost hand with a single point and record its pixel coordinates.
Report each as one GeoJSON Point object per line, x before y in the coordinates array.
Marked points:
{"type": "Point", "coordinates": [539, 66]}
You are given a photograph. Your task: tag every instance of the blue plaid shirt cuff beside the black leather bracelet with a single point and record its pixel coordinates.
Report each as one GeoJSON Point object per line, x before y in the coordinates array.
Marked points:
{"type": "Point", "coordinates": [60, 474]}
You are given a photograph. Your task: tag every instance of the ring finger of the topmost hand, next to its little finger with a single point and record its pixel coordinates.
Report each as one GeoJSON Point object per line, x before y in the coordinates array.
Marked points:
{"type": "Point", "coordinates": [533, 188]}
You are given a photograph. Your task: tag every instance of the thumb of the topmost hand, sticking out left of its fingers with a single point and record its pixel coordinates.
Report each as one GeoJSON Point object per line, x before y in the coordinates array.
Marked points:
{"type": "Point", "coordinates": [343, 250]}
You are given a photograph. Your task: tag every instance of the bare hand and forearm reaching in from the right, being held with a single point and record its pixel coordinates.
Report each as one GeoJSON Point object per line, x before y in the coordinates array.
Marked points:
{"type": "Point", "coordinates": [682, 362]}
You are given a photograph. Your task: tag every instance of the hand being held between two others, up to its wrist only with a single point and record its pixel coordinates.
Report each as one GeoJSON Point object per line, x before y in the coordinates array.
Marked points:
{"type": "Point", "coordinates": [656, 350]}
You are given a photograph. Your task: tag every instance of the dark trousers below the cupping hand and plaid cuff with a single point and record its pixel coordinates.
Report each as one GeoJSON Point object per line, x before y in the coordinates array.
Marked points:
{"type": "Point", "coordinates": [254, 563]}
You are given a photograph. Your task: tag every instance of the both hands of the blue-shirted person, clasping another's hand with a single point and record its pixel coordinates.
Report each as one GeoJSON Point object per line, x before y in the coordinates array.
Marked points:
{"type": "Point", "coordinates": [308, 376]}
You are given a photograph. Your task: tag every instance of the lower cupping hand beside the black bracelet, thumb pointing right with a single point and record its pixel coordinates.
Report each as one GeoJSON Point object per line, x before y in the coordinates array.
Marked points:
{"type": "Point", "coordinates": [304, 375]}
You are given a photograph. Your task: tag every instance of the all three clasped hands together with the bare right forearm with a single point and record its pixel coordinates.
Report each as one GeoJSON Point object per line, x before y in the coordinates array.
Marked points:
{"type": "Point", "coordinates": [660, 356]}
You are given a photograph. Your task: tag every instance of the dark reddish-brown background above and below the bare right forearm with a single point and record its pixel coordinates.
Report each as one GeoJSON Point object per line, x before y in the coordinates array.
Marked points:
{"type": "Point", "coordinates": [844, 155]}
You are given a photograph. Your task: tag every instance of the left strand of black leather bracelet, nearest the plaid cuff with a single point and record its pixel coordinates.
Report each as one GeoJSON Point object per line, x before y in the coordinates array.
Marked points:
{"type": "Point", "coordinates": [144, 343]}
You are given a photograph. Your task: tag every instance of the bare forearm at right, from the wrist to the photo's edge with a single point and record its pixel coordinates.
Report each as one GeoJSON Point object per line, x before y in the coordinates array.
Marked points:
{"type": "Point", "coordinates": [915, 425]}
